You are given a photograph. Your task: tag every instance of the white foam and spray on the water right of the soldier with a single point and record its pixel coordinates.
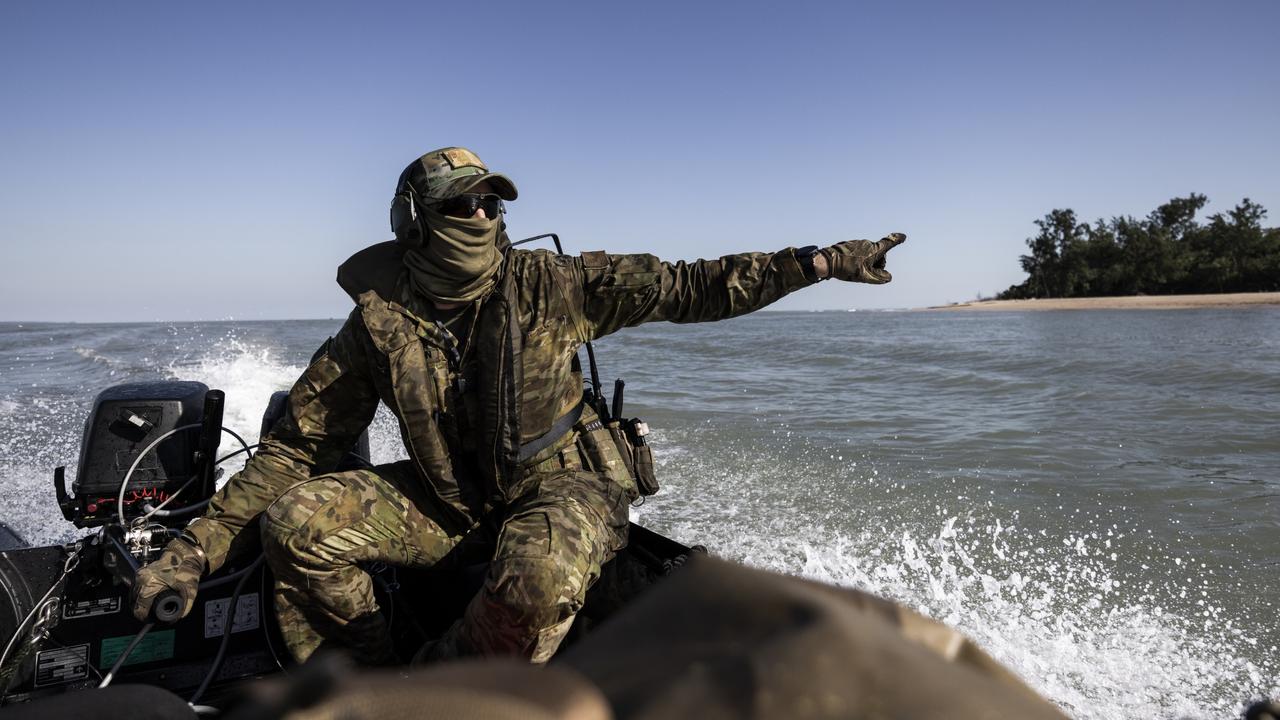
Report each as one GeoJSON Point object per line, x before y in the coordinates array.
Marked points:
{"type": "Point", "coordinates": [1055, 609]}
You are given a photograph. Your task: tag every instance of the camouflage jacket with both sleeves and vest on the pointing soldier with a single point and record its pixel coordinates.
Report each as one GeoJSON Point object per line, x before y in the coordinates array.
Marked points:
{"type": "Point", "coordinates": [518, 367]}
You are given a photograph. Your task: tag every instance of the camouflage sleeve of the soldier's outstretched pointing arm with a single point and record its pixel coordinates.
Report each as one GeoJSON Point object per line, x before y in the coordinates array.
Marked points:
{"type": "Point", "coordinates": [627, 290]}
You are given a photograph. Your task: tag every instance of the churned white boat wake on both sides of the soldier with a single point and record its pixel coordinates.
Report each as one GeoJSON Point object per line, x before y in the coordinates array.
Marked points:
{"type": "Point", "coordinates": [1090, 610]}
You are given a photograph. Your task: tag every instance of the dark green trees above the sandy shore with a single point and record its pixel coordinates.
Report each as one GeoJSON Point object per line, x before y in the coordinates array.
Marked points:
{"type": "Point", "coordinates": [1167, 253]}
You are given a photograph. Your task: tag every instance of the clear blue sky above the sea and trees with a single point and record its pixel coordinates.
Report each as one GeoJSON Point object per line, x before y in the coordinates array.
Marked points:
{"type": "Point", "coordinates": [182, 161]}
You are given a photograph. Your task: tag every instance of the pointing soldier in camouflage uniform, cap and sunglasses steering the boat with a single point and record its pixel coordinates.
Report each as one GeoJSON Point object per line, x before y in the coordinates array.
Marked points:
{"type": "Point", "coordinates": [472, 347]}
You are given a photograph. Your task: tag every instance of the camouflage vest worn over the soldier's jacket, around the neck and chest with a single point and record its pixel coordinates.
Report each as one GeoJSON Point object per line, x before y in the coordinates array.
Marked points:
{"type": "Point", "coordinates": [412, 375]}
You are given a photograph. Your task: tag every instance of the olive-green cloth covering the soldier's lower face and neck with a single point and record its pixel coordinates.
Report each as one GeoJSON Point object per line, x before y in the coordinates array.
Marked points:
{"type": "Point", "coordinates": [458, 259]}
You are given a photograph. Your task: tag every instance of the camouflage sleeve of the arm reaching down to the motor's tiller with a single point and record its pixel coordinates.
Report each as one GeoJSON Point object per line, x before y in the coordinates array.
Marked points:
{"type": "Point", "coordinates": [330, 407]}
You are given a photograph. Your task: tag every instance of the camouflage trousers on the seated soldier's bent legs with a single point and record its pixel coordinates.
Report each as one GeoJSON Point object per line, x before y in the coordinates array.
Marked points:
{"type": "Point", "coordinates": [547, 555]}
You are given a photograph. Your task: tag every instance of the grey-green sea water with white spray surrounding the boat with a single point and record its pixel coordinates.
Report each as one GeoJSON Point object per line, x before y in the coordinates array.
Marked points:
{"type": "Point", "coordinates": [1092, 496]}
